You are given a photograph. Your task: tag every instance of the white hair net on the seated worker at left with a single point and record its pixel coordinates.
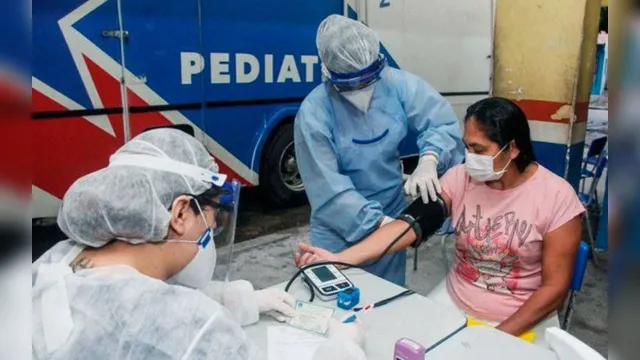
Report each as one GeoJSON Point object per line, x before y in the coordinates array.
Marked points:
{"type": "Point", "coordinates": [131, 203]}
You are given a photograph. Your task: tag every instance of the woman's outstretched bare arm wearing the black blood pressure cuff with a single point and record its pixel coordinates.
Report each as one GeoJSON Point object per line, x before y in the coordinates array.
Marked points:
{"type": "Point", "coordinates": [368, 249]}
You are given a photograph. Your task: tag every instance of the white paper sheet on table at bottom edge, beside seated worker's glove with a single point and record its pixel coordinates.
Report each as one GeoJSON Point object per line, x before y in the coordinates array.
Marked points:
{"type": "Point", "coordinates": [287, 343]}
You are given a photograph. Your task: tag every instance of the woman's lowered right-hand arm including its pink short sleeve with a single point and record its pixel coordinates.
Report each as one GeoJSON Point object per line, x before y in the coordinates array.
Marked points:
{"type": "Point", "coordinates": [559, 248]}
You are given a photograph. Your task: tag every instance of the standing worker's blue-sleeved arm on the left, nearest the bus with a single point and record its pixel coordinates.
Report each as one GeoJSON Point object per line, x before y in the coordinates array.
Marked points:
{"type": "Point", "coordinates": [333, 197]}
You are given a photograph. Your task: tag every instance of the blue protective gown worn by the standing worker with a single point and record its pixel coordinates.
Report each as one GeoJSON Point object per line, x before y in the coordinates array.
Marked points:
{"type": "Point", "coordinates": [350, 161]}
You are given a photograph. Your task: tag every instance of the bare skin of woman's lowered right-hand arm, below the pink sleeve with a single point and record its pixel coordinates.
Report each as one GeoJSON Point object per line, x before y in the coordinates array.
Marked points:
{"type": "Point", "coordinates": [558, 254]}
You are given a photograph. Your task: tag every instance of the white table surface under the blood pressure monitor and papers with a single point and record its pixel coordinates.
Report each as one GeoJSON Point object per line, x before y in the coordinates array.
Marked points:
{"type": "Point", "coordinates": [414, 317]}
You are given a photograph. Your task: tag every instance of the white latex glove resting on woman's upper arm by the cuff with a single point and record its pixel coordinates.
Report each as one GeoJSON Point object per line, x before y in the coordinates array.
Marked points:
{"type": "Point", "coordinates": [424, 180]}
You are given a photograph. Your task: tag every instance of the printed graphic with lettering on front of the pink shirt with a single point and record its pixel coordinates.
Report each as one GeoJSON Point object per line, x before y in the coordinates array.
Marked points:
{"type": "Point", "coordinates": [488, 249]}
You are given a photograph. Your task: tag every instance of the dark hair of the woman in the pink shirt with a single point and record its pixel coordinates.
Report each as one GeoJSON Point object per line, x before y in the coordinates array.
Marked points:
{"type": "Point", "coordinates": [503, 121]}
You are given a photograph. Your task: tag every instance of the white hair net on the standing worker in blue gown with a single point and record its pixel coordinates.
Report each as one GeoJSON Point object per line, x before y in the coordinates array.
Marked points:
{"type": "Point", "coordinates": [346, 45]}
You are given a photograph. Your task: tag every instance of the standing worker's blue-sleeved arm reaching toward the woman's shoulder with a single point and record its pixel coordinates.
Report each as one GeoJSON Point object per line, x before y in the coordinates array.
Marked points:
{"type": "Point", "coordinates": [432, 117]}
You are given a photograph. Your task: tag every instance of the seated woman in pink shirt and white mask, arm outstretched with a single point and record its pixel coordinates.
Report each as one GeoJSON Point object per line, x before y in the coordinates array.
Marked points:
{"type": "Point", "coordinates": [517, 225]}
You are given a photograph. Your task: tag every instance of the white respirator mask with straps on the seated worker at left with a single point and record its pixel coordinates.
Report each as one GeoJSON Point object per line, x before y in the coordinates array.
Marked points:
{"type": "Point", "coordinates": [199, 271]}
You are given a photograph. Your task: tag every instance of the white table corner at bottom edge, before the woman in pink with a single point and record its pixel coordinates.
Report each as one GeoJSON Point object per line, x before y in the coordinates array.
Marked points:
{"type": "Point", "coordinates": [484, 343]}
